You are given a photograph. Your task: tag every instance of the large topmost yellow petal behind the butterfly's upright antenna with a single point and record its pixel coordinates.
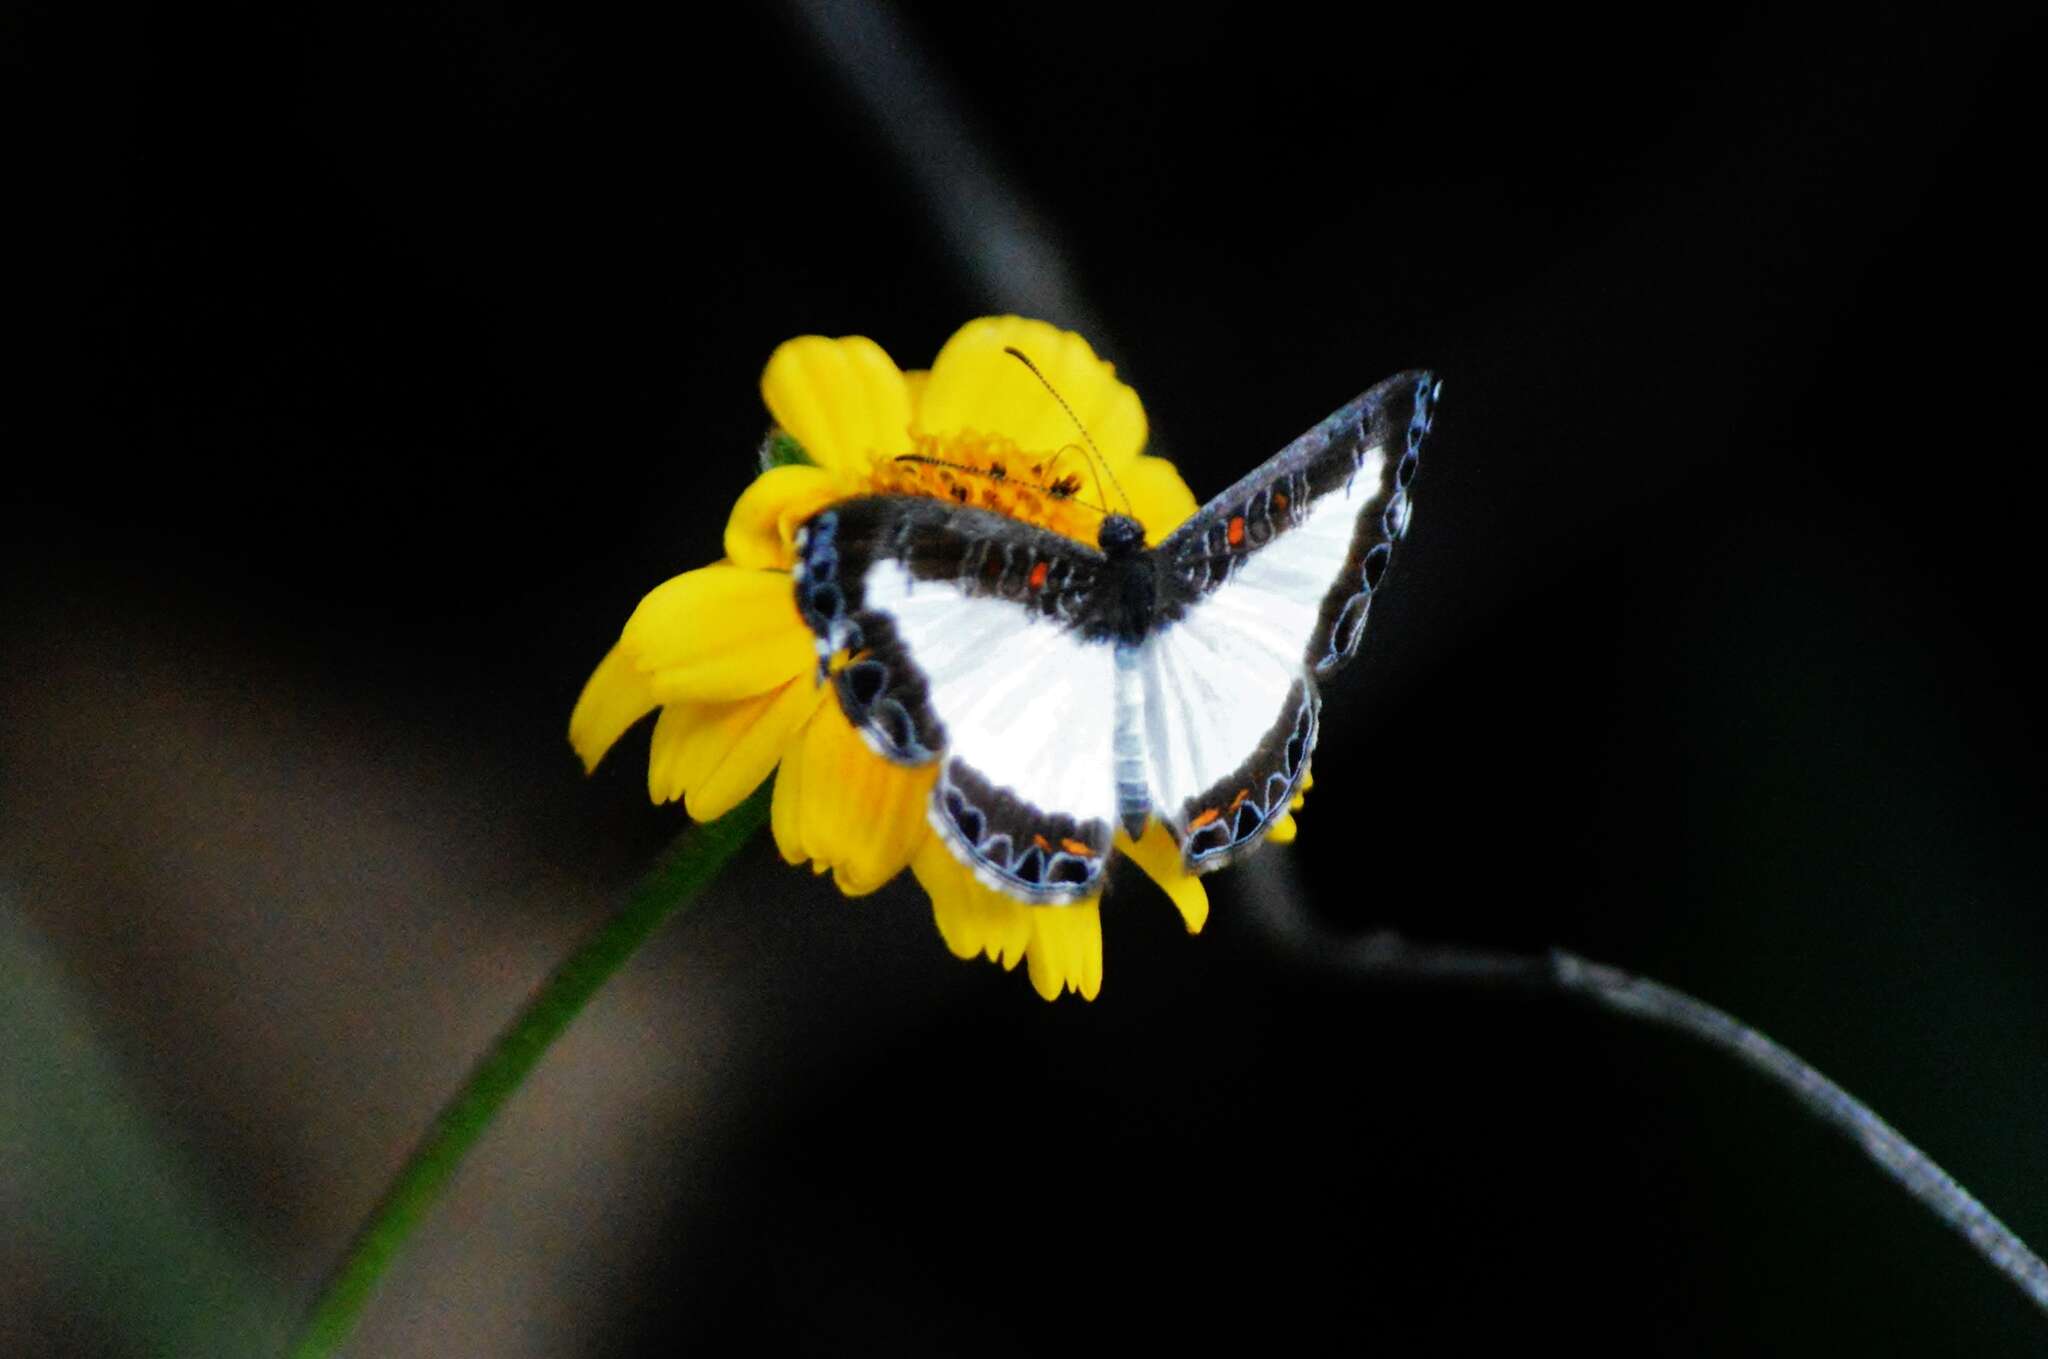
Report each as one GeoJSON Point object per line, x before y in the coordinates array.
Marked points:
{"type": "Point", "coordinates": [976, 386]}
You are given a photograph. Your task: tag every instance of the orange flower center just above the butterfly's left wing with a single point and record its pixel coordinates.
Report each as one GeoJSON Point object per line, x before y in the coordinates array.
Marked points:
{"type": "Point", "coordinates": [990, 472]}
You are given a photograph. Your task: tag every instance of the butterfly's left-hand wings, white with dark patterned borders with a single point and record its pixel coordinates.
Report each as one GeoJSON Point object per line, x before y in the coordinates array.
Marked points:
{"type": "Point", "coordinates": [955, 635]}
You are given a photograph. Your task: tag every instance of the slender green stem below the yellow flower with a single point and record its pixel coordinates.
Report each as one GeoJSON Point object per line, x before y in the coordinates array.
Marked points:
{"type": "Point", "coordinates": [685, 871]}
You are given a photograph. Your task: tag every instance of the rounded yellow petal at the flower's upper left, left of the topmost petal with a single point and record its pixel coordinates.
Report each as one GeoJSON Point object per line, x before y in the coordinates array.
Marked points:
{"type": "Point", "coordinates": [843, 400]}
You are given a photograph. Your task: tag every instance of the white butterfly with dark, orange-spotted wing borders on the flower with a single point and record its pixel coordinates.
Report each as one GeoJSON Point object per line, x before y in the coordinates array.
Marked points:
{"type": "Point", "coordinates": [1070, 691]}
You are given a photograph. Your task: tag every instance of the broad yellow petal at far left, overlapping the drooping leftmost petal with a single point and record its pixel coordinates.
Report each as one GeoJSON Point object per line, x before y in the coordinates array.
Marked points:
{"type": "Point", "coordinates": [720, 633]}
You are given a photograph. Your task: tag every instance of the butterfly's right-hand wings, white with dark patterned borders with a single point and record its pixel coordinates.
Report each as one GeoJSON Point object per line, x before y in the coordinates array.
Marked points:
{"type": "Point", "coordinates": [1267, 590]}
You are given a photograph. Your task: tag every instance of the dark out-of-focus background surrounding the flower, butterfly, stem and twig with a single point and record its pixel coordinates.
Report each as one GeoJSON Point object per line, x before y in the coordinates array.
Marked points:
{"type": "Point", "coordinates": [380, 361]}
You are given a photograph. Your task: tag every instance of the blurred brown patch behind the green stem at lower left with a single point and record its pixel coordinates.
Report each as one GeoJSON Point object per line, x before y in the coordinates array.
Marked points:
{"type": "Point", "coordinates": [296, 920]}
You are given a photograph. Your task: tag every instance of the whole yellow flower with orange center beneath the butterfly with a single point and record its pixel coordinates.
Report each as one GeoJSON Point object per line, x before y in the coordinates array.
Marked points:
{"type": "Point", "coordinates": [732, 666]}
